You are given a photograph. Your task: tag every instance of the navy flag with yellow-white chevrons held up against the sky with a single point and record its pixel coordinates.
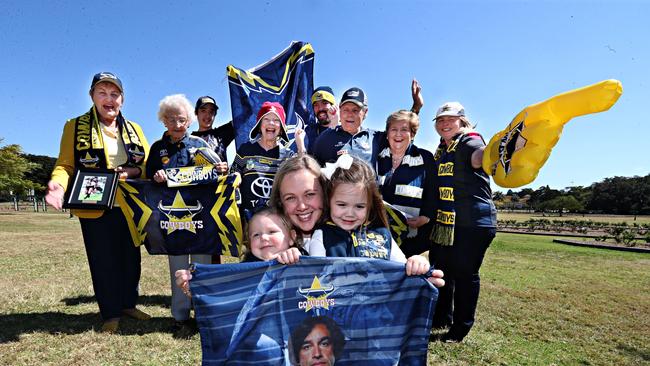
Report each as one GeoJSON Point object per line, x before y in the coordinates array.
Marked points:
{"type": "Point", "coordinates": [287, 79]}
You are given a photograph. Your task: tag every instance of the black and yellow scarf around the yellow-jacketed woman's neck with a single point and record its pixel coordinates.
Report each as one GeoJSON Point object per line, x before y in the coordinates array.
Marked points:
{"type": "Point", "coordinates": [89, 145]}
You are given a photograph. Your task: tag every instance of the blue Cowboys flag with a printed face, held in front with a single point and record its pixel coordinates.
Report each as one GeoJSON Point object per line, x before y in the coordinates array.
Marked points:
{"type": "Point", "coordinates": [351, 311]}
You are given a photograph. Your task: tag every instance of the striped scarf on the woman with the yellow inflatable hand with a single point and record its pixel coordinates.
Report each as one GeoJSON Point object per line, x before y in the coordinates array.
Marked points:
{"type": "Point", "coordinates": [443, 230]}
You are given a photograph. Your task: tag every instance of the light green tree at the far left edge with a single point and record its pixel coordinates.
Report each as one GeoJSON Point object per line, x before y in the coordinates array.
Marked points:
{"type": "Point", "coordinates": [13, 168]}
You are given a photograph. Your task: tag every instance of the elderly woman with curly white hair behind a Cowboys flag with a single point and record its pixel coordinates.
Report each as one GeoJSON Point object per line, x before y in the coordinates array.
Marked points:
{"type": "Point", "coordinates": [177, 149]}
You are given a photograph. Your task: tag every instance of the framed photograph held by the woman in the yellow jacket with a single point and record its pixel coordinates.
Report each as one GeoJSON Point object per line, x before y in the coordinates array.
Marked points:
{"type": "Point", "coordinates": [92, 189]}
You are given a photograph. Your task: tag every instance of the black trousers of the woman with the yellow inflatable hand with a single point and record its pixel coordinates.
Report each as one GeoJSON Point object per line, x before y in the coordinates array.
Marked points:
{"type": "Point", "coordinates": [461, 262]}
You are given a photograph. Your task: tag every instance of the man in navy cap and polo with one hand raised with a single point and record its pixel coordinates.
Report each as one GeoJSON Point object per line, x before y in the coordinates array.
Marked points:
{"type": "Point", "coordinates": [349, 137]}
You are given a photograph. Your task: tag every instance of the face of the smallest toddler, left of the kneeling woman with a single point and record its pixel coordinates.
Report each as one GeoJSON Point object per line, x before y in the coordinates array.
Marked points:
{"type": "Point", "coordinates": [268, 236]}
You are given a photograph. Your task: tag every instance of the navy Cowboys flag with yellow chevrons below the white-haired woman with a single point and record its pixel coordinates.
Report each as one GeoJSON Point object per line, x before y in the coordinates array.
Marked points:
{"type": "Point", "coordinates": [199, 219]}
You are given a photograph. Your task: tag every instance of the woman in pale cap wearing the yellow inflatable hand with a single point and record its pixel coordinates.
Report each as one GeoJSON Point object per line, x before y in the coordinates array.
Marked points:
{"type": "Point", "coordinates": [465, 219]}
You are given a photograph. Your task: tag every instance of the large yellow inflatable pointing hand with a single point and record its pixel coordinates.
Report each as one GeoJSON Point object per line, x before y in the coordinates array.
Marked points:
{"type": "Point", "coordinates": [514, 156]}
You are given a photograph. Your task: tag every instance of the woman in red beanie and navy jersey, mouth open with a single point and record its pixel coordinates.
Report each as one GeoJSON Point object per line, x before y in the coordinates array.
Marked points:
{"type": "Point", "coordinates": [258, 160]}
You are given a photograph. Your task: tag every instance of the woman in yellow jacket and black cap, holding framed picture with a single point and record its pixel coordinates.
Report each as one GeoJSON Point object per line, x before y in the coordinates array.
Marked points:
{"type": "Point", "coordinates": [102, 138]}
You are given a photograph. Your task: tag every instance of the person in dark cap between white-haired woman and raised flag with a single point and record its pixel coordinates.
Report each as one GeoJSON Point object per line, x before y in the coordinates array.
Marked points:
{"type": "Point", "coordinates": [217, 138]}
